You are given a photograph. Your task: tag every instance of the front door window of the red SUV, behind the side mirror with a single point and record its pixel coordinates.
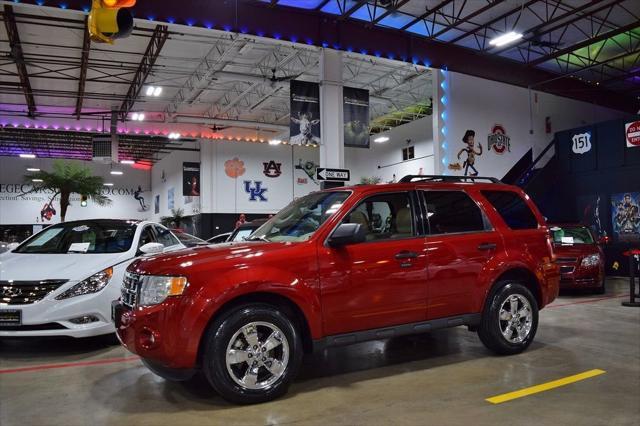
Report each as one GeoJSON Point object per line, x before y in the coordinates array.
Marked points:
{"type": "Point", "coordinates": [384, 216]}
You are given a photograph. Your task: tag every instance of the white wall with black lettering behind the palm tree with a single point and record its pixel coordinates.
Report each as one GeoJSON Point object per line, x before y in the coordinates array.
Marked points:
{"type": "Point", "coordinates": [25, 210]}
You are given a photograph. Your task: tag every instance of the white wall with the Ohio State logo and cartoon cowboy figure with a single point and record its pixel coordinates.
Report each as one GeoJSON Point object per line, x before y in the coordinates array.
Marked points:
{"type": "Point", "coordinates": [478, 104]}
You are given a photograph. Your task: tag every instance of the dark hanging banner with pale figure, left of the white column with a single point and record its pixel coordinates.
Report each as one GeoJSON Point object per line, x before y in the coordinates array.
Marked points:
{"type": "Point", "coordinates": [304, 127]}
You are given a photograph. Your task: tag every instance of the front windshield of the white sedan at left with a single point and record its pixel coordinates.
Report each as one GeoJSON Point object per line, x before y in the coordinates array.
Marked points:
{"type": "Point", "coordinates": [82, 237]}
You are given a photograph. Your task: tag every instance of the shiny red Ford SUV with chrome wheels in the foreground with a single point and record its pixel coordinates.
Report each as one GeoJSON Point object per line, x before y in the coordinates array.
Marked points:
{"type": "Point", "coordinates": [338, 267]}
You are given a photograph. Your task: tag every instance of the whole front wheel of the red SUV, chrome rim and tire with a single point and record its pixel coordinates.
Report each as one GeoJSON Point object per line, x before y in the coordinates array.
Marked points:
{"type": "Point", "coordinates": [252, 354]}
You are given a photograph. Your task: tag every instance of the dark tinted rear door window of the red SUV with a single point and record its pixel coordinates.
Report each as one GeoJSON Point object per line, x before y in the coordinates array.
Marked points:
{"type": "Point", "coordinates": [450, 212]}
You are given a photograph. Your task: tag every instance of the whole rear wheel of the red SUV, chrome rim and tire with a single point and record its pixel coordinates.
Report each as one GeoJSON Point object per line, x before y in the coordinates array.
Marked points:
{"type": "Point", "coordinates": [510, 319]}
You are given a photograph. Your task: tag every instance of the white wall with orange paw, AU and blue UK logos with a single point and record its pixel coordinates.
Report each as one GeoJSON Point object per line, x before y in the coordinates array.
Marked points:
{"type": "Point", "coordinates": [222, 193]}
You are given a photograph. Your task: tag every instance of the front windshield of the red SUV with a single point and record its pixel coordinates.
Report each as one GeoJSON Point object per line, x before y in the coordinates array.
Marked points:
{"type": "Point", "coordinates": [302, 218]}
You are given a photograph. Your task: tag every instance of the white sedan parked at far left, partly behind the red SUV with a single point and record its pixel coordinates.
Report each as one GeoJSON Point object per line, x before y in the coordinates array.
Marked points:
{"type": "Point", "coordinates": [61, 281]}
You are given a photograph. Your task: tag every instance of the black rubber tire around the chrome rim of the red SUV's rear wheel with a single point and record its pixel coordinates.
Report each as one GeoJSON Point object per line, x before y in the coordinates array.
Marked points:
{"type": "Point", "coordinates": [490, 331]}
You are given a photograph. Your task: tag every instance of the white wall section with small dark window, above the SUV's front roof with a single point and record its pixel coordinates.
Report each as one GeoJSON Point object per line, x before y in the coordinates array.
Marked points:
{"type": "Point", "coordinates": [385, 159]}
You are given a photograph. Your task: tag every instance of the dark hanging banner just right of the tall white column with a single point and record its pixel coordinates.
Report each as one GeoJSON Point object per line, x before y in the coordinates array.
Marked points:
{"type": "Point", "coordinates": [356, 117]}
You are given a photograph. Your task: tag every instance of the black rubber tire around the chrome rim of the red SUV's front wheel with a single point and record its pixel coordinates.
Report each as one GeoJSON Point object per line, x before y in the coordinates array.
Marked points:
{"type": "Point", "coordinates": [218, 338]}
